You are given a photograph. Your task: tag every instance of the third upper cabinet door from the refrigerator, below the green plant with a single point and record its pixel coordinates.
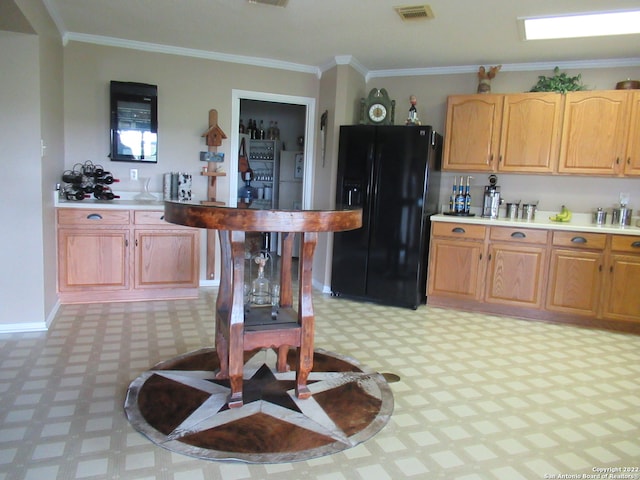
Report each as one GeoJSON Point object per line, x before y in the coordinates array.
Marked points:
{"type": "Point", "coordinates": [594, 129]}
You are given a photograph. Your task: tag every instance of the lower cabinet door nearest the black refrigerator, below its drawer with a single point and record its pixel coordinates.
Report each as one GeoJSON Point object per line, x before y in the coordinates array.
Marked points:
{"type": "Point", "coordinates": [455, 268]}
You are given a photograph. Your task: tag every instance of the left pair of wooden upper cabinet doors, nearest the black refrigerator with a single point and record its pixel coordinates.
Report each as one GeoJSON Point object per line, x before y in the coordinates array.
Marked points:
{"type": "Point", "coordinates": [503, 133]}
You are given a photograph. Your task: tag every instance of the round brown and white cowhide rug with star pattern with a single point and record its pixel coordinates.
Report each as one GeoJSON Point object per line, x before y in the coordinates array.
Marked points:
{"type": "Point", "coordinates": [179, 405]}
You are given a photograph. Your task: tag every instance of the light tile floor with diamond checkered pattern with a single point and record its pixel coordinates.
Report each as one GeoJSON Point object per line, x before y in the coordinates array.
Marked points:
{"type": "Point", "coordinates": [480, 397]}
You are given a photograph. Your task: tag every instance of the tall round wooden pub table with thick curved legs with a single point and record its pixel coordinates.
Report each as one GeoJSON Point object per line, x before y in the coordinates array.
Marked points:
{"type": "Point", "coordinates": [239, 330]}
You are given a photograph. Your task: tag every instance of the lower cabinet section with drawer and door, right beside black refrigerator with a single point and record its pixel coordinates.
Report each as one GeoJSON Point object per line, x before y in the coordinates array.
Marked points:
{"type": "Point", "coordinates": [455, 260]}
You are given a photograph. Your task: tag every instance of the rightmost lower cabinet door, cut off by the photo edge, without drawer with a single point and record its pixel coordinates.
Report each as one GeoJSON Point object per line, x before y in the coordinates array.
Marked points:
{"type": "Point", "coordinates": [622, 299]}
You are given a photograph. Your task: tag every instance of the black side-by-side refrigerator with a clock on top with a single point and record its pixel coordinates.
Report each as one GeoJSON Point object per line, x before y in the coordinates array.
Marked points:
{"type": "Point", "coordinates": [393, 174]}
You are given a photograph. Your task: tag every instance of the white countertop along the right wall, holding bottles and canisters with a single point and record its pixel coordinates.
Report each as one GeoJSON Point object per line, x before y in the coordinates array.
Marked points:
{"type": "Point", "coordinates": [580, 222]}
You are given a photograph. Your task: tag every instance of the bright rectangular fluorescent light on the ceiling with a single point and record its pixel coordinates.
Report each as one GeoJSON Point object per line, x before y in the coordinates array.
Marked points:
{"type": "Point", "coordinates": [581, 25]}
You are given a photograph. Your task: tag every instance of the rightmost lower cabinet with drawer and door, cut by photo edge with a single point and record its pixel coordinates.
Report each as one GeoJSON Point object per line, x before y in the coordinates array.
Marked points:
{"type": "Point", "coordinates": [622, 295]}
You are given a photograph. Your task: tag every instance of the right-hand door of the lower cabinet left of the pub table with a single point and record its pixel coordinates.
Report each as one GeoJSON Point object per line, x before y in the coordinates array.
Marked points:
{"type": "Point", "coordinates": [166, 258]}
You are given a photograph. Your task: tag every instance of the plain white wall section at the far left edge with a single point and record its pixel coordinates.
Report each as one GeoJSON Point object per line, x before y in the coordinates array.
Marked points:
{"type": "Point", "coordinates": [21, 212]}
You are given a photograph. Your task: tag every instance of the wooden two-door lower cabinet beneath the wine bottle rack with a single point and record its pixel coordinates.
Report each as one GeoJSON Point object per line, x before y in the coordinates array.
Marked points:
{"type": "Point", "coordinates": [120, 255]}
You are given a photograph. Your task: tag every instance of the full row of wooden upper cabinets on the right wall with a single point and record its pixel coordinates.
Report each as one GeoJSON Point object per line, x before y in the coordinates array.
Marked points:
{"type": "Point", "coordinates": [586, 133]}
